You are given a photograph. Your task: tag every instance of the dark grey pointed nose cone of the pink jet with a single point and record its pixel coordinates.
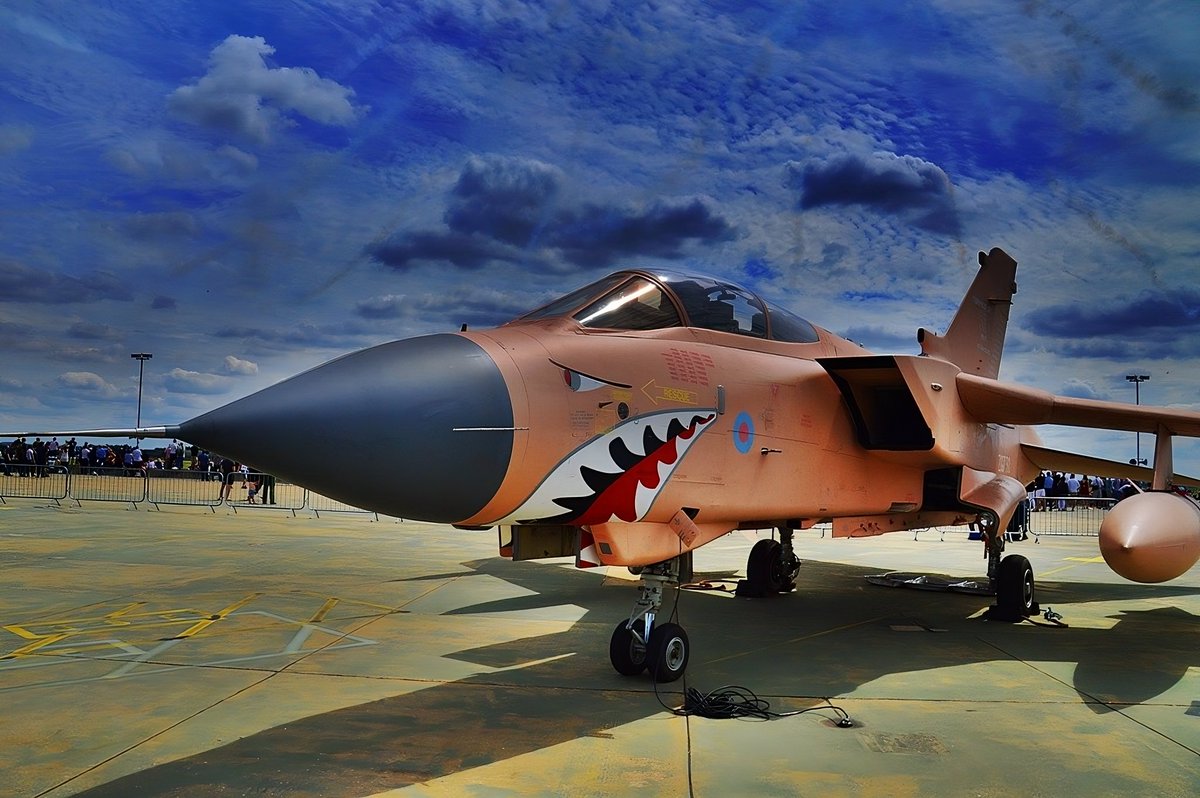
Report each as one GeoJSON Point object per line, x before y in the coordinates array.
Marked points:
{"type": "Point", "coordinates": [418, 429]}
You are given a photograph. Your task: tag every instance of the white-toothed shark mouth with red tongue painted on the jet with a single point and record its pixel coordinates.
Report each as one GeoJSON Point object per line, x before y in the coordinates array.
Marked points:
{"type": "Point", "coordinates": [619, 475]}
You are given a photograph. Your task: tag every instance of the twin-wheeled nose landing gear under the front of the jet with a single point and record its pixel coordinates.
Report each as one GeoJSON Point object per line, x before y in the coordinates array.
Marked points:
{"type": "Point", "coordinates": [640, 644]}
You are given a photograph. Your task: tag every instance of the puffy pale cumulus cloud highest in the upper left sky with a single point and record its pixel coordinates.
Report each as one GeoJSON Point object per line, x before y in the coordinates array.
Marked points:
{"type": "Point", "coordinates": [242, 95]}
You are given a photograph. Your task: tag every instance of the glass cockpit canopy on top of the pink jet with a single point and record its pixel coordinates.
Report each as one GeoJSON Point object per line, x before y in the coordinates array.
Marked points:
{"type": "Point", "coordinates": [634, 301]}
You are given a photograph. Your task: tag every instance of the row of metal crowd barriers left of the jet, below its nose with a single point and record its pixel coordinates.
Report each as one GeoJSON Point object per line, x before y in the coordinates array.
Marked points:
{"type": "Point", "coordinates": [160, 487]}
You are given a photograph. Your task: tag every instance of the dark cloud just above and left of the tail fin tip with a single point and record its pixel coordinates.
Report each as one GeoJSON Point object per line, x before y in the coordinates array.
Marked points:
{"type": "Point", "coordinates": [897, 185]}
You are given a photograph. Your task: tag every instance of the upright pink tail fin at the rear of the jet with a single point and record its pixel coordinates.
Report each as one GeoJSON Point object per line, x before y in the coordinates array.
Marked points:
{"type": "Point", "coordinates": [975, 340]}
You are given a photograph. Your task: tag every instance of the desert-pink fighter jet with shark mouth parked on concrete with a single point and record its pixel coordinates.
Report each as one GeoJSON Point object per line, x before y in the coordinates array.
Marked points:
{"type": "Point", "coordinates": [650, 413]}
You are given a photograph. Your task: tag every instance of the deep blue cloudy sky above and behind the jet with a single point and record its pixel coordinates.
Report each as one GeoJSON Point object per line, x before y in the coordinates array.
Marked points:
{"type": "Point", "coordinates": [251, 189]}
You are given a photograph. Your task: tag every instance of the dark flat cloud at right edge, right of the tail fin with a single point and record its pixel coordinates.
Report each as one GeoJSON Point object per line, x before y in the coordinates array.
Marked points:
{"type": "Point", "coordinates": [1167, 314]}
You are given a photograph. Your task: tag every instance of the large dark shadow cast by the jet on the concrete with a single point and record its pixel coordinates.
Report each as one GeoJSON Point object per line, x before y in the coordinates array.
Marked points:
{"type": "Point", "coordinates": [833, 635]}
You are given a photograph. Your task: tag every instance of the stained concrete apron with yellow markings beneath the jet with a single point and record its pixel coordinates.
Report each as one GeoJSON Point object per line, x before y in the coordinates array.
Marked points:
{"type": "Point", "coordinates": [183, 653]}
